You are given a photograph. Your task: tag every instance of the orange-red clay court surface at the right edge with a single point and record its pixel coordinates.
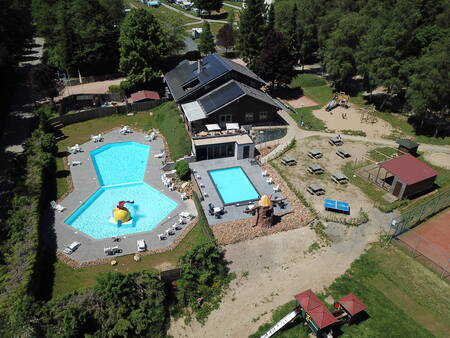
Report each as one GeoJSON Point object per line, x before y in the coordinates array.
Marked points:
{"type": "Point", "coordinates": [432, 241]}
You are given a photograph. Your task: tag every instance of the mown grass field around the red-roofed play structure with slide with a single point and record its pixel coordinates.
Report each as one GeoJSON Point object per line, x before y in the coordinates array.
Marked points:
{"type": "Point", "coordinates": [403, 298]}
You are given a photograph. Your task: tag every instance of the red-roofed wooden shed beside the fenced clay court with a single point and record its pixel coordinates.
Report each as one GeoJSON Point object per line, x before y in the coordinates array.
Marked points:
{"type": "Point", "coordinates": [411, 176]}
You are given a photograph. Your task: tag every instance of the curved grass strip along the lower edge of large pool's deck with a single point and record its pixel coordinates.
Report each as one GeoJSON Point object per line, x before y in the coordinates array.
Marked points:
{"type": "Point", "coordinates": [67, 279]}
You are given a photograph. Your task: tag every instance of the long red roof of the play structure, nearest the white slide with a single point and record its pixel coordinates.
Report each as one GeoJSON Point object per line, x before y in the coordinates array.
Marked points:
{"type": "Point", "coordinates": [317, 311]}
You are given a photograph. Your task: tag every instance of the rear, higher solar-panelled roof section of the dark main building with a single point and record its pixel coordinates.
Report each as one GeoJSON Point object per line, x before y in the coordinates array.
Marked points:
{"type": "Point", "coordinates": [188, 81]}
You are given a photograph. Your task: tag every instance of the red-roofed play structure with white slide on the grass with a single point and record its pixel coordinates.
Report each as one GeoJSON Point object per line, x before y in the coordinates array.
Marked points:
{"type": "Point", "coordinates": [316, 315]}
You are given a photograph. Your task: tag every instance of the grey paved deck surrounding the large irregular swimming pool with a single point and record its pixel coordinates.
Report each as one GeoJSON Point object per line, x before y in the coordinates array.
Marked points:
{"type": "Point", "coordinates": [85, 182]}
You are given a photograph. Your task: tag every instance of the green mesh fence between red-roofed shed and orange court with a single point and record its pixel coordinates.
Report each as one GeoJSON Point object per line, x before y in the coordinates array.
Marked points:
{"type": "Point", "coordinates": [416, 214]}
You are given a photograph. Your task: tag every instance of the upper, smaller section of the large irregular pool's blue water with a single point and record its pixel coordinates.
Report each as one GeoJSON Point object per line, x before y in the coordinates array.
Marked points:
{"type": "Point", "coordinates": [118, 163]}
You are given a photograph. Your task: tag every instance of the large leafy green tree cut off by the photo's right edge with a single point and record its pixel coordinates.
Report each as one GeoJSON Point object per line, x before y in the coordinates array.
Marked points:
{"type": "Point", "coordinates": [428, 94]}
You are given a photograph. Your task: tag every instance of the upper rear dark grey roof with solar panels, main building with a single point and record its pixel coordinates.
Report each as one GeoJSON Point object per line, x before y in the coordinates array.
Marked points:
{"type": "Point", "coordinates": [213, 66]}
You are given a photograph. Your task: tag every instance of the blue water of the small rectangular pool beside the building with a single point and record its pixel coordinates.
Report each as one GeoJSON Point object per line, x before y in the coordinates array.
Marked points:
{"type": "Point", "coordinates": [233, 185]}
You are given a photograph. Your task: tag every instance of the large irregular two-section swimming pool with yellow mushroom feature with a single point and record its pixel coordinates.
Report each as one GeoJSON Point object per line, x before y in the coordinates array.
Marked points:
{"type": "Point", "coordinates": [120, 168]}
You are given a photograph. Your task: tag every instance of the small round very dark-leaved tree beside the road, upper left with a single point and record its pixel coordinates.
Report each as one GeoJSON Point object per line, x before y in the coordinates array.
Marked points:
{"type": "Point", "coordinates": [42, 81]}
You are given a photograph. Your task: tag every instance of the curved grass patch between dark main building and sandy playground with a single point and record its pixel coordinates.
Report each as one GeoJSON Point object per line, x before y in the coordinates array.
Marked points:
{"type": "Point", "coordinates": [317, 89]}
